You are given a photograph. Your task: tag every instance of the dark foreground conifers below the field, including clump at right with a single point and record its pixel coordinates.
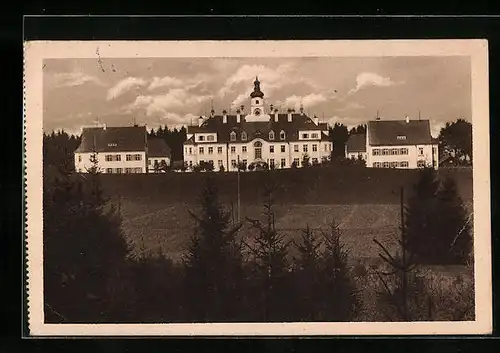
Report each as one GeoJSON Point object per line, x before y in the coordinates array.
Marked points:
{"type": "Point", "coordinates": [90, 274]}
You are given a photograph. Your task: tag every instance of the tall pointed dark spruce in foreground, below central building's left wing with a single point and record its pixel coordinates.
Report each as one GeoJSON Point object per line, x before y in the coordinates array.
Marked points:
{"type": "Point", "coordinates": [213, 263]}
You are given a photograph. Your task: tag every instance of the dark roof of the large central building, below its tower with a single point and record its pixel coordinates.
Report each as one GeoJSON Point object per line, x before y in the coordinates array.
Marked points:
{"type": "Point", "coordinates": [258, 129]}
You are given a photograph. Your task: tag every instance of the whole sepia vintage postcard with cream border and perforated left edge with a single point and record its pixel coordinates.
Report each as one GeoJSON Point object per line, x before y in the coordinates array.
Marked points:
{"type": "Point", "coordinates": [249, 188]}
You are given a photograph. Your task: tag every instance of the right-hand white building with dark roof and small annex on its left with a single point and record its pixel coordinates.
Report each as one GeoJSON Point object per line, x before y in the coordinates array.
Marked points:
{"type": "Point", "coordinates": [395, 144]}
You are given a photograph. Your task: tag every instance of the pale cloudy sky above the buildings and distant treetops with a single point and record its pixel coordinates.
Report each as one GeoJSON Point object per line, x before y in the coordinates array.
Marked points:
{"type": "Point", "coordinates": [175, 91]}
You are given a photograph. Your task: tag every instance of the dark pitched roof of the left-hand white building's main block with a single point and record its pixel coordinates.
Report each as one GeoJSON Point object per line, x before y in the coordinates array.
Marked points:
{"type": "Point", "coordinates": [113, 139]}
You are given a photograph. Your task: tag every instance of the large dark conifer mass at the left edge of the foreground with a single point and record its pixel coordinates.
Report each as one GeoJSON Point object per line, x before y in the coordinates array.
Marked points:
{"type": "Point", "coordinates": [84, 251]}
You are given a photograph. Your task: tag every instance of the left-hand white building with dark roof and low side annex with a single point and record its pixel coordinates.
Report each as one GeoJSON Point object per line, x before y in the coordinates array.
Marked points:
{"type": "Point", "coordinates": [120, 150]}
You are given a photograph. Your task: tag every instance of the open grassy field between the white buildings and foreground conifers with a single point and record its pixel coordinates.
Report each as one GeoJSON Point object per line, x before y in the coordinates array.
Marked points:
{"type": "Point", "coordinates": [155, 208]}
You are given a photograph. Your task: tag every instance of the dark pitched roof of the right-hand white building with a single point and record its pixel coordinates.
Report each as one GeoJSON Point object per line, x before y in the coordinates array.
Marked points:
{"type": "Point", "coordinates": [386, 132]}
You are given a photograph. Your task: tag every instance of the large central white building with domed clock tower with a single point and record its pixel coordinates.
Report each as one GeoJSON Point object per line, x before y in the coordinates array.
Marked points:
{"type": "Point", "coordinates": [263, 135]}
